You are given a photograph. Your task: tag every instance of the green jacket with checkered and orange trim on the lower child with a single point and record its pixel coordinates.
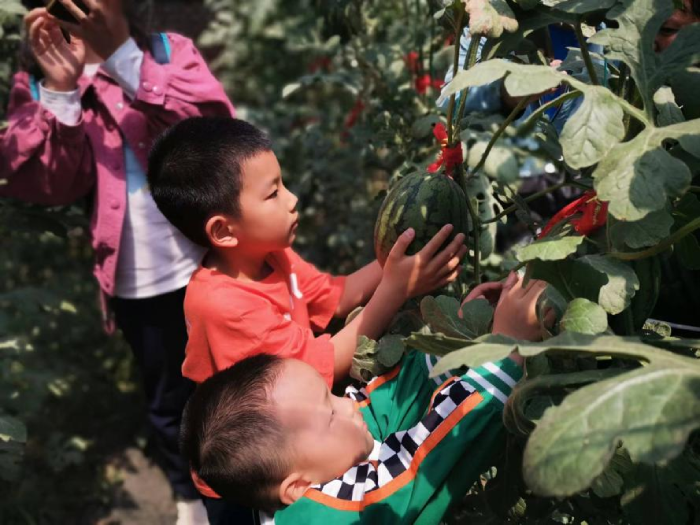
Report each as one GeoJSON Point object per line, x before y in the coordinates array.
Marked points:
{"type": "Point", "coordinates": [433, 437]}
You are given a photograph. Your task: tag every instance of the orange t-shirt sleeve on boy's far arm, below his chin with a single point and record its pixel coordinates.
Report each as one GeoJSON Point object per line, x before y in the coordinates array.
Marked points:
{"type": "Point", "coordinates": [322, 291]}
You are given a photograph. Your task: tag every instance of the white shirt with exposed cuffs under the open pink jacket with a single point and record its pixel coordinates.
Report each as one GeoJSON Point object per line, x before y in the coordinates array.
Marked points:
{"type": "Point", "coordinates": [154, 257]}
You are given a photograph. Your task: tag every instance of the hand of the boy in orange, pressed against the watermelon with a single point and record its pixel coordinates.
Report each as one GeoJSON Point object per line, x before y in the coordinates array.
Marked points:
{"type": "Point", "coordinates": [412, 275]}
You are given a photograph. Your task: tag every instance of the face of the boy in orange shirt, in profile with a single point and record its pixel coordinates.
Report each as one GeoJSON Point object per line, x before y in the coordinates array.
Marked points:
{"type": "Point", "coordinates": [268, 218]}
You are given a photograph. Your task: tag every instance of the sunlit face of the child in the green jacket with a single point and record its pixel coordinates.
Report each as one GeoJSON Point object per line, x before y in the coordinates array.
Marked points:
{"type": "Point", "coordinates": [326, 434]}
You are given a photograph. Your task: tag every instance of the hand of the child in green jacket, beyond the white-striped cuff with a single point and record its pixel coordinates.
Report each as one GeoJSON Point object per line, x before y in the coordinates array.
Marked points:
{"type": "Point", "coordinates": [516, 313]}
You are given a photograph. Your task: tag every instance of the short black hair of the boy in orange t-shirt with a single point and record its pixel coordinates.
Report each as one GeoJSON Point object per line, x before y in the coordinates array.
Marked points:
{"type": "Point", "coordinates": [194, 170]}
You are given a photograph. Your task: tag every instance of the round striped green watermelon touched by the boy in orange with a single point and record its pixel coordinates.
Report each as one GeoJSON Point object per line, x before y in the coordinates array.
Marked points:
{"type": "Point", "coordinates": [425, 202]}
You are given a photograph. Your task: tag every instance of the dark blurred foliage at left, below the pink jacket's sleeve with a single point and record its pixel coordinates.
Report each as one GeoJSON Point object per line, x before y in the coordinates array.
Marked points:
{"type": "Point", "coordinates": [68, 400]}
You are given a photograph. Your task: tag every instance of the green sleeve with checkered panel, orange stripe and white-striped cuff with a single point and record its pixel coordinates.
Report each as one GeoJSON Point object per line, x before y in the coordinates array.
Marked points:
{"type": "Point", "coordinates": [417, 472]}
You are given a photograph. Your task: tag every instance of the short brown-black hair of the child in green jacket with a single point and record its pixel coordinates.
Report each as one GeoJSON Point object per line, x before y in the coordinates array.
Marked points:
{"type": "Point", "coordinates": [231, 438]}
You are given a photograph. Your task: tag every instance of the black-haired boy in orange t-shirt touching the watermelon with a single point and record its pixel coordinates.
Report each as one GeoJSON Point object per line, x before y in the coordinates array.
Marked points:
{"type": "Point", "coordinates": [218, 181]}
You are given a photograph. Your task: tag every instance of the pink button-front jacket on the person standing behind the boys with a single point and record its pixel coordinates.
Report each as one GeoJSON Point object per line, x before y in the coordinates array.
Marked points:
{"type": "Point", "coordinates": [47, 162]}
